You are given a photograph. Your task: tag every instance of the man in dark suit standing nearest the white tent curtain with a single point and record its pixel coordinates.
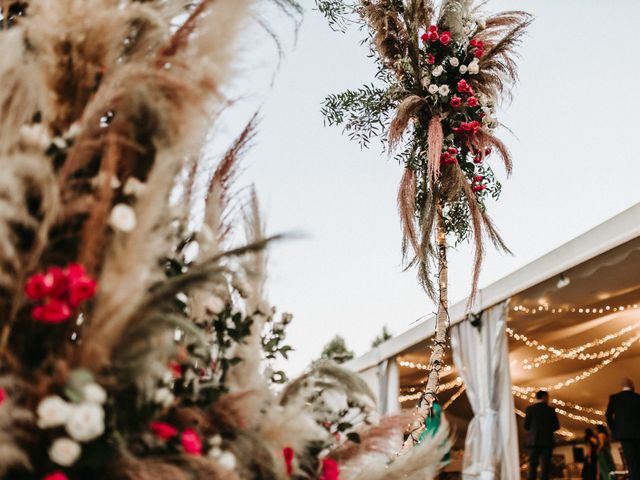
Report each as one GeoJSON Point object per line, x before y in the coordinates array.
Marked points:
{"type": "Point", "coordinates": [541, 421]}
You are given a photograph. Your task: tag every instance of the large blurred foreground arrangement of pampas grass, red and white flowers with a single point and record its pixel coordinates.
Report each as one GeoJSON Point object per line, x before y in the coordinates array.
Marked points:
{"type": "Point", "coordinates": [135, 345]}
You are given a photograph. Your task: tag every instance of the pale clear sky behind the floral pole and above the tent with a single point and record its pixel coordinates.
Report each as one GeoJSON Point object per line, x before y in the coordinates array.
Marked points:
{"type": "Point", "coordinates": [575, 123]}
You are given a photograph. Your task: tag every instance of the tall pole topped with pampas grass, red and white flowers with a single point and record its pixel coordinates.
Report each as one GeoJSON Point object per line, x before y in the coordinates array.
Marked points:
{"type": "Point", "coordinates": [441, 75]}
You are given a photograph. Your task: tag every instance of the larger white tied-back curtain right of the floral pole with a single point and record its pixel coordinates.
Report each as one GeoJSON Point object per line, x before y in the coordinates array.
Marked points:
{"type": "Point", "coordinates": [481, 356]}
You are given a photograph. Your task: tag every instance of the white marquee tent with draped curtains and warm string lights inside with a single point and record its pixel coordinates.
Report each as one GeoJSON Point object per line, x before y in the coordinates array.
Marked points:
{"type": "Point", "coordinates": [568, 322]}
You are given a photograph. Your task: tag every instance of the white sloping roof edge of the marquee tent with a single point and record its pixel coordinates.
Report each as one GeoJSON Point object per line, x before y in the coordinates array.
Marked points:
{"type": "Point", "coordinates": [536, 277]}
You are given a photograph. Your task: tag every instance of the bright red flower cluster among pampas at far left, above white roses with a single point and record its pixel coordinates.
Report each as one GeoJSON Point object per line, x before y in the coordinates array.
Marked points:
{"type": "Point", "coordinates": [61, 290]}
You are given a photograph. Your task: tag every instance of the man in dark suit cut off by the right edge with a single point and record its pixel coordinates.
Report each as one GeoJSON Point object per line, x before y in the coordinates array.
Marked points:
{"type": "Point", "coordinates": [623, 417]}
